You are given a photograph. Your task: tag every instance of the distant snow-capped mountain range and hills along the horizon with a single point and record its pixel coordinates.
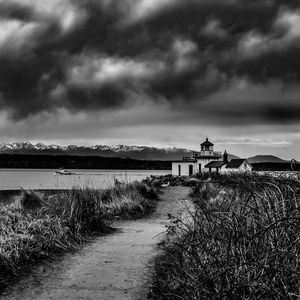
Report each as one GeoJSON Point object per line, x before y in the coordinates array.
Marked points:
{"type": "Point", "coordinates": [137, 152]}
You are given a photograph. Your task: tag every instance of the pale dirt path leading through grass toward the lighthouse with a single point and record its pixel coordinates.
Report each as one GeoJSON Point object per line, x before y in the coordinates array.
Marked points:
{"type": "Point", "coordinates": [115, 266]}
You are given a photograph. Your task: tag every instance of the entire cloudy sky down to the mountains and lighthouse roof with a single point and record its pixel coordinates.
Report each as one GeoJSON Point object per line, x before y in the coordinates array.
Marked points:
{"type": "Point", "coordinates": [152, 72]}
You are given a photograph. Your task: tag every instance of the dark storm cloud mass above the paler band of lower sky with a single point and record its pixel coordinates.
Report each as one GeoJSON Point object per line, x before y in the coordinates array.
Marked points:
{"type": "Point", "coordinates": [96, 55]}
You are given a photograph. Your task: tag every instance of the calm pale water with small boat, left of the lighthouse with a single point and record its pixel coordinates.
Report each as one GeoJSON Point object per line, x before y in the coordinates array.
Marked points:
{"type": "Point", "coordinates": [11, 179]}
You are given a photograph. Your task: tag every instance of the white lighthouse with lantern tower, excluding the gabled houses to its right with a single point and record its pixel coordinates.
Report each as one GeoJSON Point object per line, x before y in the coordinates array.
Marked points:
{"type": "Point", "coordinates": [191, 165]}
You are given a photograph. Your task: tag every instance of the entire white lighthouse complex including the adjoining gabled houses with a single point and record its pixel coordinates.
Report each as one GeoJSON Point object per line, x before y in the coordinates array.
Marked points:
{"type": "Point", "coordinates": [208, 160]}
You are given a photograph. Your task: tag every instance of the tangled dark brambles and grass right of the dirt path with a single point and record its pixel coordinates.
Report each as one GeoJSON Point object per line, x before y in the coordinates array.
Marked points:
{"type": "Point", "coordinates": [243, 243]}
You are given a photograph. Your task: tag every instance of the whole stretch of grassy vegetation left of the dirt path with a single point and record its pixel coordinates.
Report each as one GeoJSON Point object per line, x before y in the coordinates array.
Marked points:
{"type": "Point", "coordinates": [34, 226]}
